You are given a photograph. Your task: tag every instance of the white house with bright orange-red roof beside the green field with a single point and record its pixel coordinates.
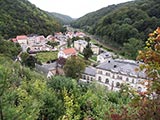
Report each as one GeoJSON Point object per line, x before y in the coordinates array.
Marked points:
{"type": "Point", "coordinates": [67, 53]}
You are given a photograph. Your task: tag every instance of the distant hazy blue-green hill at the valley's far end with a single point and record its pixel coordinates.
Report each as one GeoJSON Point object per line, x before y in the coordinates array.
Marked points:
{"type": "Point", "coordinates": [64, 19]}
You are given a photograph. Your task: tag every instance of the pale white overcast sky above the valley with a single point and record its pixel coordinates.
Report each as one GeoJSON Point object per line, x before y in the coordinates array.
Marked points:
{"type": "Point", "coordinates": [74, 8]}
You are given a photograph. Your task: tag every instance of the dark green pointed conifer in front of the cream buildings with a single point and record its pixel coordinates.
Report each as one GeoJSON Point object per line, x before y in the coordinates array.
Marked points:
{"type": "Point", "coordinates": [87, 52]}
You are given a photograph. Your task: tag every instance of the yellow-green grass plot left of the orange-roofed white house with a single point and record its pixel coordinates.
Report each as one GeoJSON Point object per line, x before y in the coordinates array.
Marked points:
{"type": "Point", "coordinates": [46, 56]}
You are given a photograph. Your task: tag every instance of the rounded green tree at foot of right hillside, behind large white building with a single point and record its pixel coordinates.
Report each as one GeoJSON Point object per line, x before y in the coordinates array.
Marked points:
{"type": "Point", "coordinates": [130, 49]}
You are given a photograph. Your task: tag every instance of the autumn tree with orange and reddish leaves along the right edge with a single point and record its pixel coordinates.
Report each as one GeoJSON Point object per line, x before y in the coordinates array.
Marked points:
{"type": "Point", "coordinates": [151, 57]}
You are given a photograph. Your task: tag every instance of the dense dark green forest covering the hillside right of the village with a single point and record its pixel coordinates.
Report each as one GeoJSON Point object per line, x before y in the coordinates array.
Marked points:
{"type": "Point", "coordinates": [123, 24]}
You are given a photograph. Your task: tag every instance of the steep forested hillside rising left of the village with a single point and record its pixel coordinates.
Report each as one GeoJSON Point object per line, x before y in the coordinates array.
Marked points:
{"type": "Point", "coordinates": [21, 17]}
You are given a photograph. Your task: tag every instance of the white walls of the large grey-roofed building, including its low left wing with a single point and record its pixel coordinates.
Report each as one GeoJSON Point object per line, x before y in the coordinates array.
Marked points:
{"type": "Point", "coordinates": [113, 80]}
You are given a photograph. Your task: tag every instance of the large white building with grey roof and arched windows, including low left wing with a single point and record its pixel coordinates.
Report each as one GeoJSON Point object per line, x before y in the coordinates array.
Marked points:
{"type": "Point", "coordinates": [113, 73]}
